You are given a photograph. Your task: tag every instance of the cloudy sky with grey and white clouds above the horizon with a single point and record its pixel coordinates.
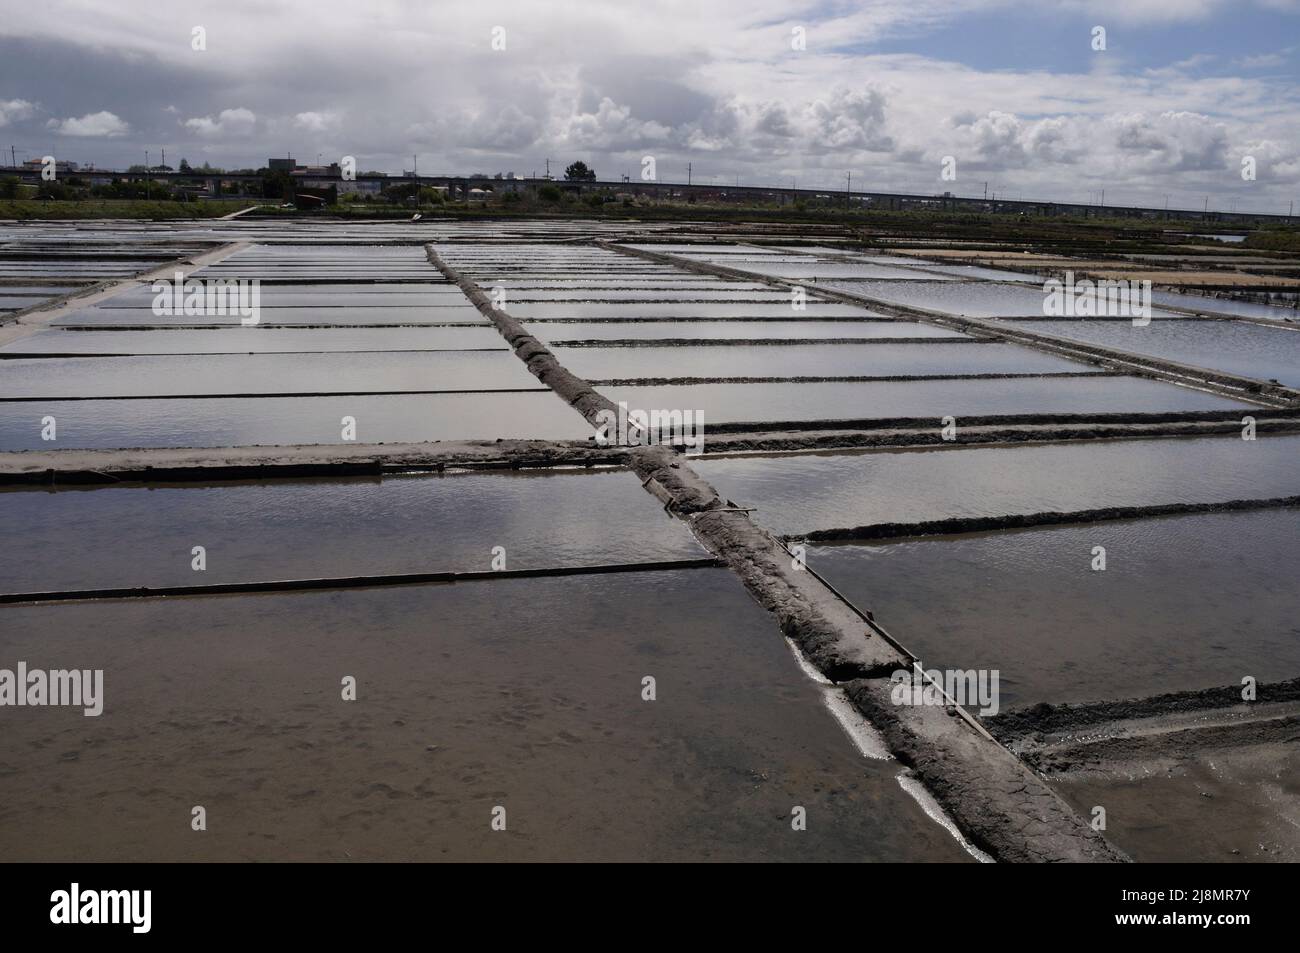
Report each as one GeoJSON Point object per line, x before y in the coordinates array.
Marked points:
{"type": "Point", "coordinates": [1012, 90]}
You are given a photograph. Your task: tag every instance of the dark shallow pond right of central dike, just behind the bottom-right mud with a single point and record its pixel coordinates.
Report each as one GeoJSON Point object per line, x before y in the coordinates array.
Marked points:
{"type": "Point", "coordinates": [1185, 603]}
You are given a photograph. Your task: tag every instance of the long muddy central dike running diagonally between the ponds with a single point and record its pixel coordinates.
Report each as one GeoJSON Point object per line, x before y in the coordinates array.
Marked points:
{"type": "Point", "coordinates": [996, 802]}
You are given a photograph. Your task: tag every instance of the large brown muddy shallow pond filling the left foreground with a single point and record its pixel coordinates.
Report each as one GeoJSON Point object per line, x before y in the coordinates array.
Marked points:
{"type": "Point", "coordinates": [518, 695]}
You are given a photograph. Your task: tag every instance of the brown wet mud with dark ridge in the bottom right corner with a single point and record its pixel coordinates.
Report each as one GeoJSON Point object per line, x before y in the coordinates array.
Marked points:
{"type": "Point", "coordinates": [1211, 761]}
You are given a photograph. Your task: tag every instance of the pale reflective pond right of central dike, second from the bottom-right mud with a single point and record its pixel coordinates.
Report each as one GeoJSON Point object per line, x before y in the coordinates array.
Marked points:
{"type": "Point", "coordinates": [801, 493]}
